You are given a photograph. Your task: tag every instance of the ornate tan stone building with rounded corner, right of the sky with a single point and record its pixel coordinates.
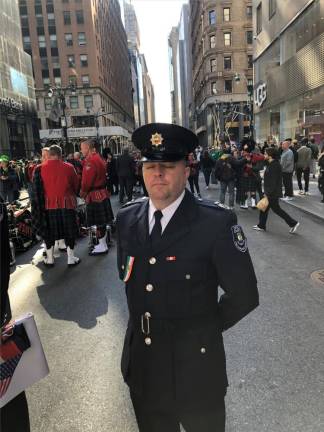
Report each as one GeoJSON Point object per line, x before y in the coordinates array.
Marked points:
{"type": "Point", "coordinates": [222, 58]}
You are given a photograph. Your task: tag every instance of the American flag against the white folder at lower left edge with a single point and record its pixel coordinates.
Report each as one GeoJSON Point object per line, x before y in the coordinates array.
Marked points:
{"type": "Point", "coordinates": [14, 341]}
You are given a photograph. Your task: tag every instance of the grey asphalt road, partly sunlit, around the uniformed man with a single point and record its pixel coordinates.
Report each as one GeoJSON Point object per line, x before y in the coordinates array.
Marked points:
{"type": "Point", "coordinates": [275, 355]}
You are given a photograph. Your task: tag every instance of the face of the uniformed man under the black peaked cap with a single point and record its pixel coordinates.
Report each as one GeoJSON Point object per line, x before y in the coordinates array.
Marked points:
{"type": "Point", "coordinates": [165, 181]}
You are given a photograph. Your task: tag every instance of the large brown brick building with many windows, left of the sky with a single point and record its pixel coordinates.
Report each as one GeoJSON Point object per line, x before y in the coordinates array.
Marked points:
{"type": "Point", "coordinates": [79, 49]}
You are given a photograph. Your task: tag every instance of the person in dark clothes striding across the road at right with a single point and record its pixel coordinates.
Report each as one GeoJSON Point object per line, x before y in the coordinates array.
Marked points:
{"type": "Point", "coordinates": [273, 191]}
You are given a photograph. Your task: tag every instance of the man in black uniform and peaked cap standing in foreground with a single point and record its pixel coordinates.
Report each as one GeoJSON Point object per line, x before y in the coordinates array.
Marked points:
{"type": "Point", "coordinates": [173, 253]}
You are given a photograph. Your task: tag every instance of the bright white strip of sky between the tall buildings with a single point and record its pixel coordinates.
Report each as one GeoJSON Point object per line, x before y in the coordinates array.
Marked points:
{"type": "Point", "coordinates": [155, 19]}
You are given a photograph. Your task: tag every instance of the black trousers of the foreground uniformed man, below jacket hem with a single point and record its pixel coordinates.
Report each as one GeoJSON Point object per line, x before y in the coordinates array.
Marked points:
{"type": "Point", "coordinates": [168, 420]}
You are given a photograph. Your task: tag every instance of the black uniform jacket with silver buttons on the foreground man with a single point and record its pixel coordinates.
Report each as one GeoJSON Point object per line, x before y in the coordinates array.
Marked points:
{"type": "Point", "coordinates": [176, 282]}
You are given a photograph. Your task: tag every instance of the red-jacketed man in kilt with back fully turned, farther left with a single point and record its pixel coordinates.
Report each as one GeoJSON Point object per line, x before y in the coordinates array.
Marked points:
{"type": "Point", "coordinates": [61, 185]}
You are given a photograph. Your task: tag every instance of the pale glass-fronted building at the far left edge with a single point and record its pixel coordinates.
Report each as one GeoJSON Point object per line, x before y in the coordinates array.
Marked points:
{"type": "Point", "coordinates": [18, 118]}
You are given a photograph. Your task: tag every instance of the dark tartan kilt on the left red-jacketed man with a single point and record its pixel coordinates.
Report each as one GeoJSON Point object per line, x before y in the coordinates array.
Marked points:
{"type": "Point", "coordinates": [61, 224]}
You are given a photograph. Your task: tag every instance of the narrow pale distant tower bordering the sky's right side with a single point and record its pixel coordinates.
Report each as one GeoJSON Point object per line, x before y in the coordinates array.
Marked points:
{"type": "Point", "coordinates": [181, 69]}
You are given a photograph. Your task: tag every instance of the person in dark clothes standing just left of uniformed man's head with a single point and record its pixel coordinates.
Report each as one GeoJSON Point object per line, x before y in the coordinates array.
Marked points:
{"type": "Point", "coordinates": [125, 168]}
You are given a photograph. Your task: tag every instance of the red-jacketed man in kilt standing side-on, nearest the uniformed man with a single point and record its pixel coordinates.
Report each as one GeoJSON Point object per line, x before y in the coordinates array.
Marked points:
{"type": "Point", "coordinates": [93, 190]}
